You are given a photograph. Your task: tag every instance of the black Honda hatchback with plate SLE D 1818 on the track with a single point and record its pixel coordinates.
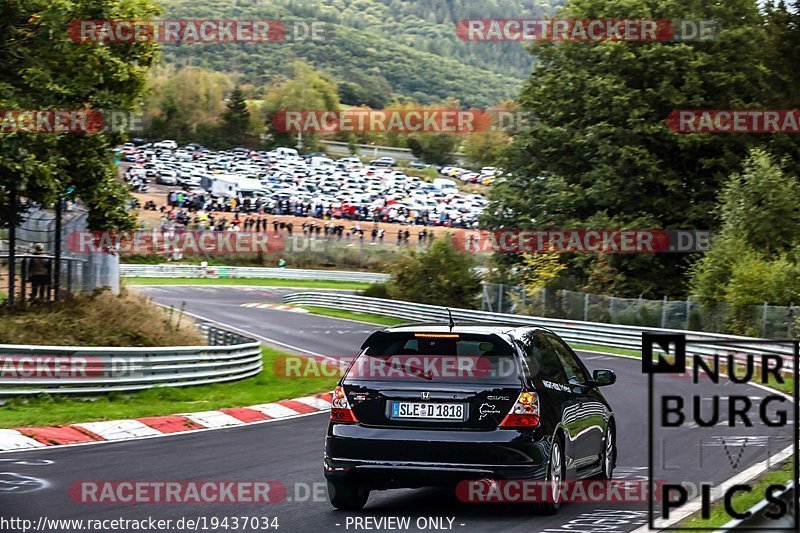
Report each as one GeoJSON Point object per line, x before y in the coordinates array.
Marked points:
{"type": "Point", "coordinates": [431, 405]}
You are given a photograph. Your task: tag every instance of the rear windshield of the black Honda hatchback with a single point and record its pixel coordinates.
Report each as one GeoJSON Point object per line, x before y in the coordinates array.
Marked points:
{"type": "Point", "coordinates": [437, 357]}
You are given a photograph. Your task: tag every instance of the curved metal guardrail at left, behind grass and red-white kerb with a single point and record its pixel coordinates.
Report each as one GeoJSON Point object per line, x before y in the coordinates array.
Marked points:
{"type": "Point", "coordinates": [30, 370]}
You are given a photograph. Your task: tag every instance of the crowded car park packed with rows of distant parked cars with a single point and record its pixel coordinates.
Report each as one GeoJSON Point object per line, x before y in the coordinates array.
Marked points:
{"type": "Point", "coordinates": [281, 182]}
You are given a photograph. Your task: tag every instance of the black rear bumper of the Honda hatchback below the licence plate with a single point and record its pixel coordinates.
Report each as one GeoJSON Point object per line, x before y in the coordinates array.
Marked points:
{"type": "Point", "coordinates": [387, 458]}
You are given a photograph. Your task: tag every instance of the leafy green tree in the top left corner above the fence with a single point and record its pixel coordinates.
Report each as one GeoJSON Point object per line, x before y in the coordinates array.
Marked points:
{"type": "Point", "coordinates": [43, 69]}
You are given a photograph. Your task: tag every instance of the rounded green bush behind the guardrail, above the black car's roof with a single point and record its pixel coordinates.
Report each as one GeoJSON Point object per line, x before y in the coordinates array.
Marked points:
{"type": "Point", "coordinates": [440, 275]}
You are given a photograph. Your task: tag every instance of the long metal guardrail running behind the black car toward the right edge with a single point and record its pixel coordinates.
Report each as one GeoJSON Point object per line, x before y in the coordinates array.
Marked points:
{"type": "Point", "coordinates": [594, 333]}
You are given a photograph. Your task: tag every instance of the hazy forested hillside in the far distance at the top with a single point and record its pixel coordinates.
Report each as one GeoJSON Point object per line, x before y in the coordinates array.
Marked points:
{"type": "Point", "coordinates": [382, 49]}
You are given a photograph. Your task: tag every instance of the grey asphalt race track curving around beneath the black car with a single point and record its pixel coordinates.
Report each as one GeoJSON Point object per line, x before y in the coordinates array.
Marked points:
{"type": "Point", "coordinates": [35, 483]}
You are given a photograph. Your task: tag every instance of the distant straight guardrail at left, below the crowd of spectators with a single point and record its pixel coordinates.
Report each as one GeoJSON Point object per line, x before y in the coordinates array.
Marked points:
{"type": "Point", "coordinates": [197, 271]}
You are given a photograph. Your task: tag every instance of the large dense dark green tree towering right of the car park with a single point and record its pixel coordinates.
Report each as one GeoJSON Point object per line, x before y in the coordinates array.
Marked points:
{"type": "Point", "coordinates": [599, 144]}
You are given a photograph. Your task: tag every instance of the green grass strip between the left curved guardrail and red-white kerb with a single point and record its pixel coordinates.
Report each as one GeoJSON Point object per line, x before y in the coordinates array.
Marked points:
{"type": "Point", "coordinates": [60, 410]}
